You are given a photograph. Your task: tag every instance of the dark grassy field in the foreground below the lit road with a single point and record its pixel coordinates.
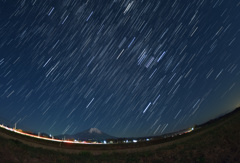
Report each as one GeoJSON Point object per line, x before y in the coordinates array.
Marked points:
{"type": "Point", "coordinates": [218, 141]}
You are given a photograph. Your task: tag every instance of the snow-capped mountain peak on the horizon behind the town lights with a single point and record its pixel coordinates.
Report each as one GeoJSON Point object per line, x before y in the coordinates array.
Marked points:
{"type": "Point", "coordinates": [90, 134]}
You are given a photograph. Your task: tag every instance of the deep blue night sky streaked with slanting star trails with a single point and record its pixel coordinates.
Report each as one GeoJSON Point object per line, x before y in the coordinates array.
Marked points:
{"type": "Point", "coordinates": [126, 67]}
